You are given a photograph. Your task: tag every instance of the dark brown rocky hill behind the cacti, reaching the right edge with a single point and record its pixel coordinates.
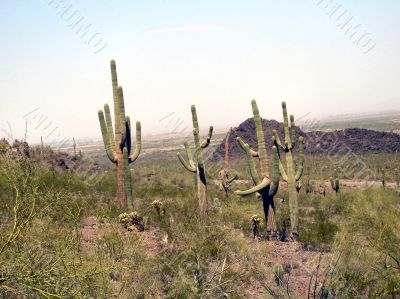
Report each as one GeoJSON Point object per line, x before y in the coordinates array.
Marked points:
{"type": "Point", "coordinates": [358, 141]}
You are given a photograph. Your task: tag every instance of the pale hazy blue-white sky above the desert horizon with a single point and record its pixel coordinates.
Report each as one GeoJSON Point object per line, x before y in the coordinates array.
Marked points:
{"type": "Point", "coordinates": [323, 57]}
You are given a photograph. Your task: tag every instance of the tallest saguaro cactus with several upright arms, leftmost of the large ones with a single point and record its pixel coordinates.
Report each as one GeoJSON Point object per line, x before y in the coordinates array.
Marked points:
{"type": "Point", "coordinates": [118, 146]}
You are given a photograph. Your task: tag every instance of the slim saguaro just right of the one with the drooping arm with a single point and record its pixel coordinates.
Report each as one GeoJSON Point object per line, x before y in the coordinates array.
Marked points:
{"type": "Point", "coordinates": [290, 175]}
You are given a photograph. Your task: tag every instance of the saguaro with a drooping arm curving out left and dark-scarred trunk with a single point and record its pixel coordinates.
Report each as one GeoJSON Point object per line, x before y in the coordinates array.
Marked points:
{"type": "Point", "coordinates": [266, 186]}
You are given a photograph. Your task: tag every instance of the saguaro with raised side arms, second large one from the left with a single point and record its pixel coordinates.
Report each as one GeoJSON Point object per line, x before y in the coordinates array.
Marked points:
{"type": "Point", "coordinates": [196, 165]}
